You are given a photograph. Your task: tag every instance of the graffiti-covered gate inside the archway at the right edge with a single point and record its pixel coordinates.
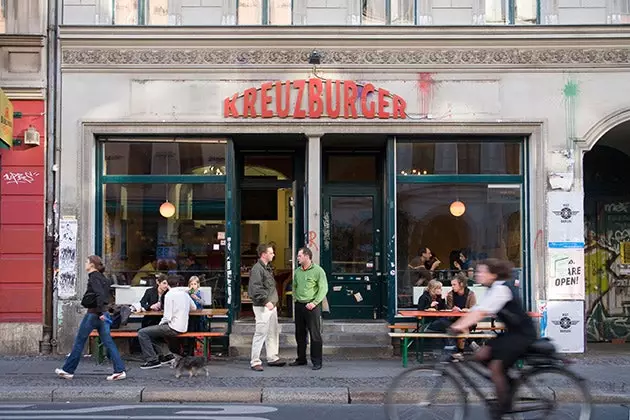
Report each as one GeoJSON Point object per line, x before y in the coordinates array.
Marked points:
{"type": "Point", "coordinates": [608, 272]}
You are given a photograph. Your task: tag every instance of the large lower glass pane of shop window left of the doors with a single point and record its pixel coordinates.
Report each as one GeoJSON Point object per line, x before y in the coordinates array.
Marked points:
{"type": "Point", "coordinates": [138, 242]}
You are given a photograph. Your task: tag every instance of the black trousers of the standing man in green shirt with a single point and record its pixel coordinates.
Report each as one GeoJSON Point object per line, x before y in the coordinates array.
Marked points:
{"type": "Point", "coordinates": [310, 321]}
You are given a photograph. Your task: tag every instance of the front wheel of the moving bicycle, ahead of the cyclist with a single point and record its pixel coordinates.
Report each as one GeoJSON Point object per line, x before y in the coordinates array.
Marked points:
{"type": "Point", "coordinates": [426, 393]}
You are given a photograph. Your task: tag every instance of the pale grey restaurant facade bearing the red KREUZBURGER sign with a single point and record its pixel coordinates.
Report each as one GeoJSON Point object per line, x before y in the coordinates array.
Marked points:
{"type": "Point", "coordinates": [201, 129]}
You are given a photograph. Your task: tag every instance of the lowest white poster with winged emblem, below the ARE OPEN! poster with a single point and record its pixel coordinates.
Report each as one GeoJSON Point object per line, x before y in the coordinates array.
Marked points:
{"type": "Point", "coordinates": [565, 325]}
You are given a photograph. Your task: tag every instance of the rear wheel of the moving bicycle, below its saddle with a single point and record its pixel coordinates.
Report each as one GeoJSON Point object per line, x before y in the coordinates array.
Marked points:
{"type": "Point", "coordinates": [553, 393]}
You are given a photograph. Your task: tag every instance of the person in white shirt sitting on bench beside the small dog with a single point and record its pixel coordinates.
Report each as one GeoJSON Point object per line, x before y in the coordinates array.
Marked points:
{"type": "Point", "coordinates": [177, 307]}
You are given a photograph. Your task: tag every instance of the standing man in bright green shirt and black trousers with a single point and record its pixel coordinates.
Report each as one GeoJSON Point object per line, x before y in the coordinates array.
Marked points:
{"type": "Point", "coordinates": [309, 290]}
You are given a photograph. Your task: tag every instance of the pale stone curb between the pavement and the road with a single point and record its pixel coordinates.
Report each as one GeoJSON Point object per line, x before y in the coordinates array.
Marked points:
{"type": "Point", "coordinates": [267, 395]}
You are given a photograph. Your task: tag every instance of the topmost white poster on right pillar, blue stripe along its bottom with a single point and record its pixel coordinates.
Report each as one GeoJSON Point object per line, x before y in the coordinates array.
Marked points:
{"type": "Point", "coordinates": [565, 219]}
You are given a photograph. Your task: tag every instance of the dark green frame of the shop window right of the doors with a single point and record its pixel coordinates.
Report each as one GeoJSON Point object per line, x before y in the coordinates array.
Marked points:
{"type": "Point", "coordinates": [517, 179]}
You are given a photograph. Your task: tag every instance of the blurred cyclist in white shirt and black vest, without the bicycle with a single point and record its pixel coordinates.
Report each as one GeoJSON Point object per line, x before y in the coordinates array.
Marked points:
{"type": "Point", "coordinates": [501, 353]}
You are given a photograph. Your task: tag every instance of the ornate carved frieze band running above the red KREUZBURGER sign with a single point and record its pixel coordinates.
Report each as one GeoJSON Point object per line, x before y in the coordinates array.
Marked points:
{"type": "Point", "coordinates": [442, 57]}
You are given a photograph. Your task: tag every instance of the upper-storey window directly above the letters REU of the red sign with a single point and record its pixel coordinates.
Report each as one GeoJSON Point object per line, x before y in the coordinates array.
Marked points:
{"type": "Point", "coordinates": [264, 12]}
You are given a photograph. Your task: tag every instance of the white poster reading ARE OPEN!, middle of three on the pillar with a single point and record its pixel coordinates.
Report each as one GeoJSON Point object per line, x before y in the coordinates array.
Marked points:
{"type": "Point", "coordinates": [565, 278]}
